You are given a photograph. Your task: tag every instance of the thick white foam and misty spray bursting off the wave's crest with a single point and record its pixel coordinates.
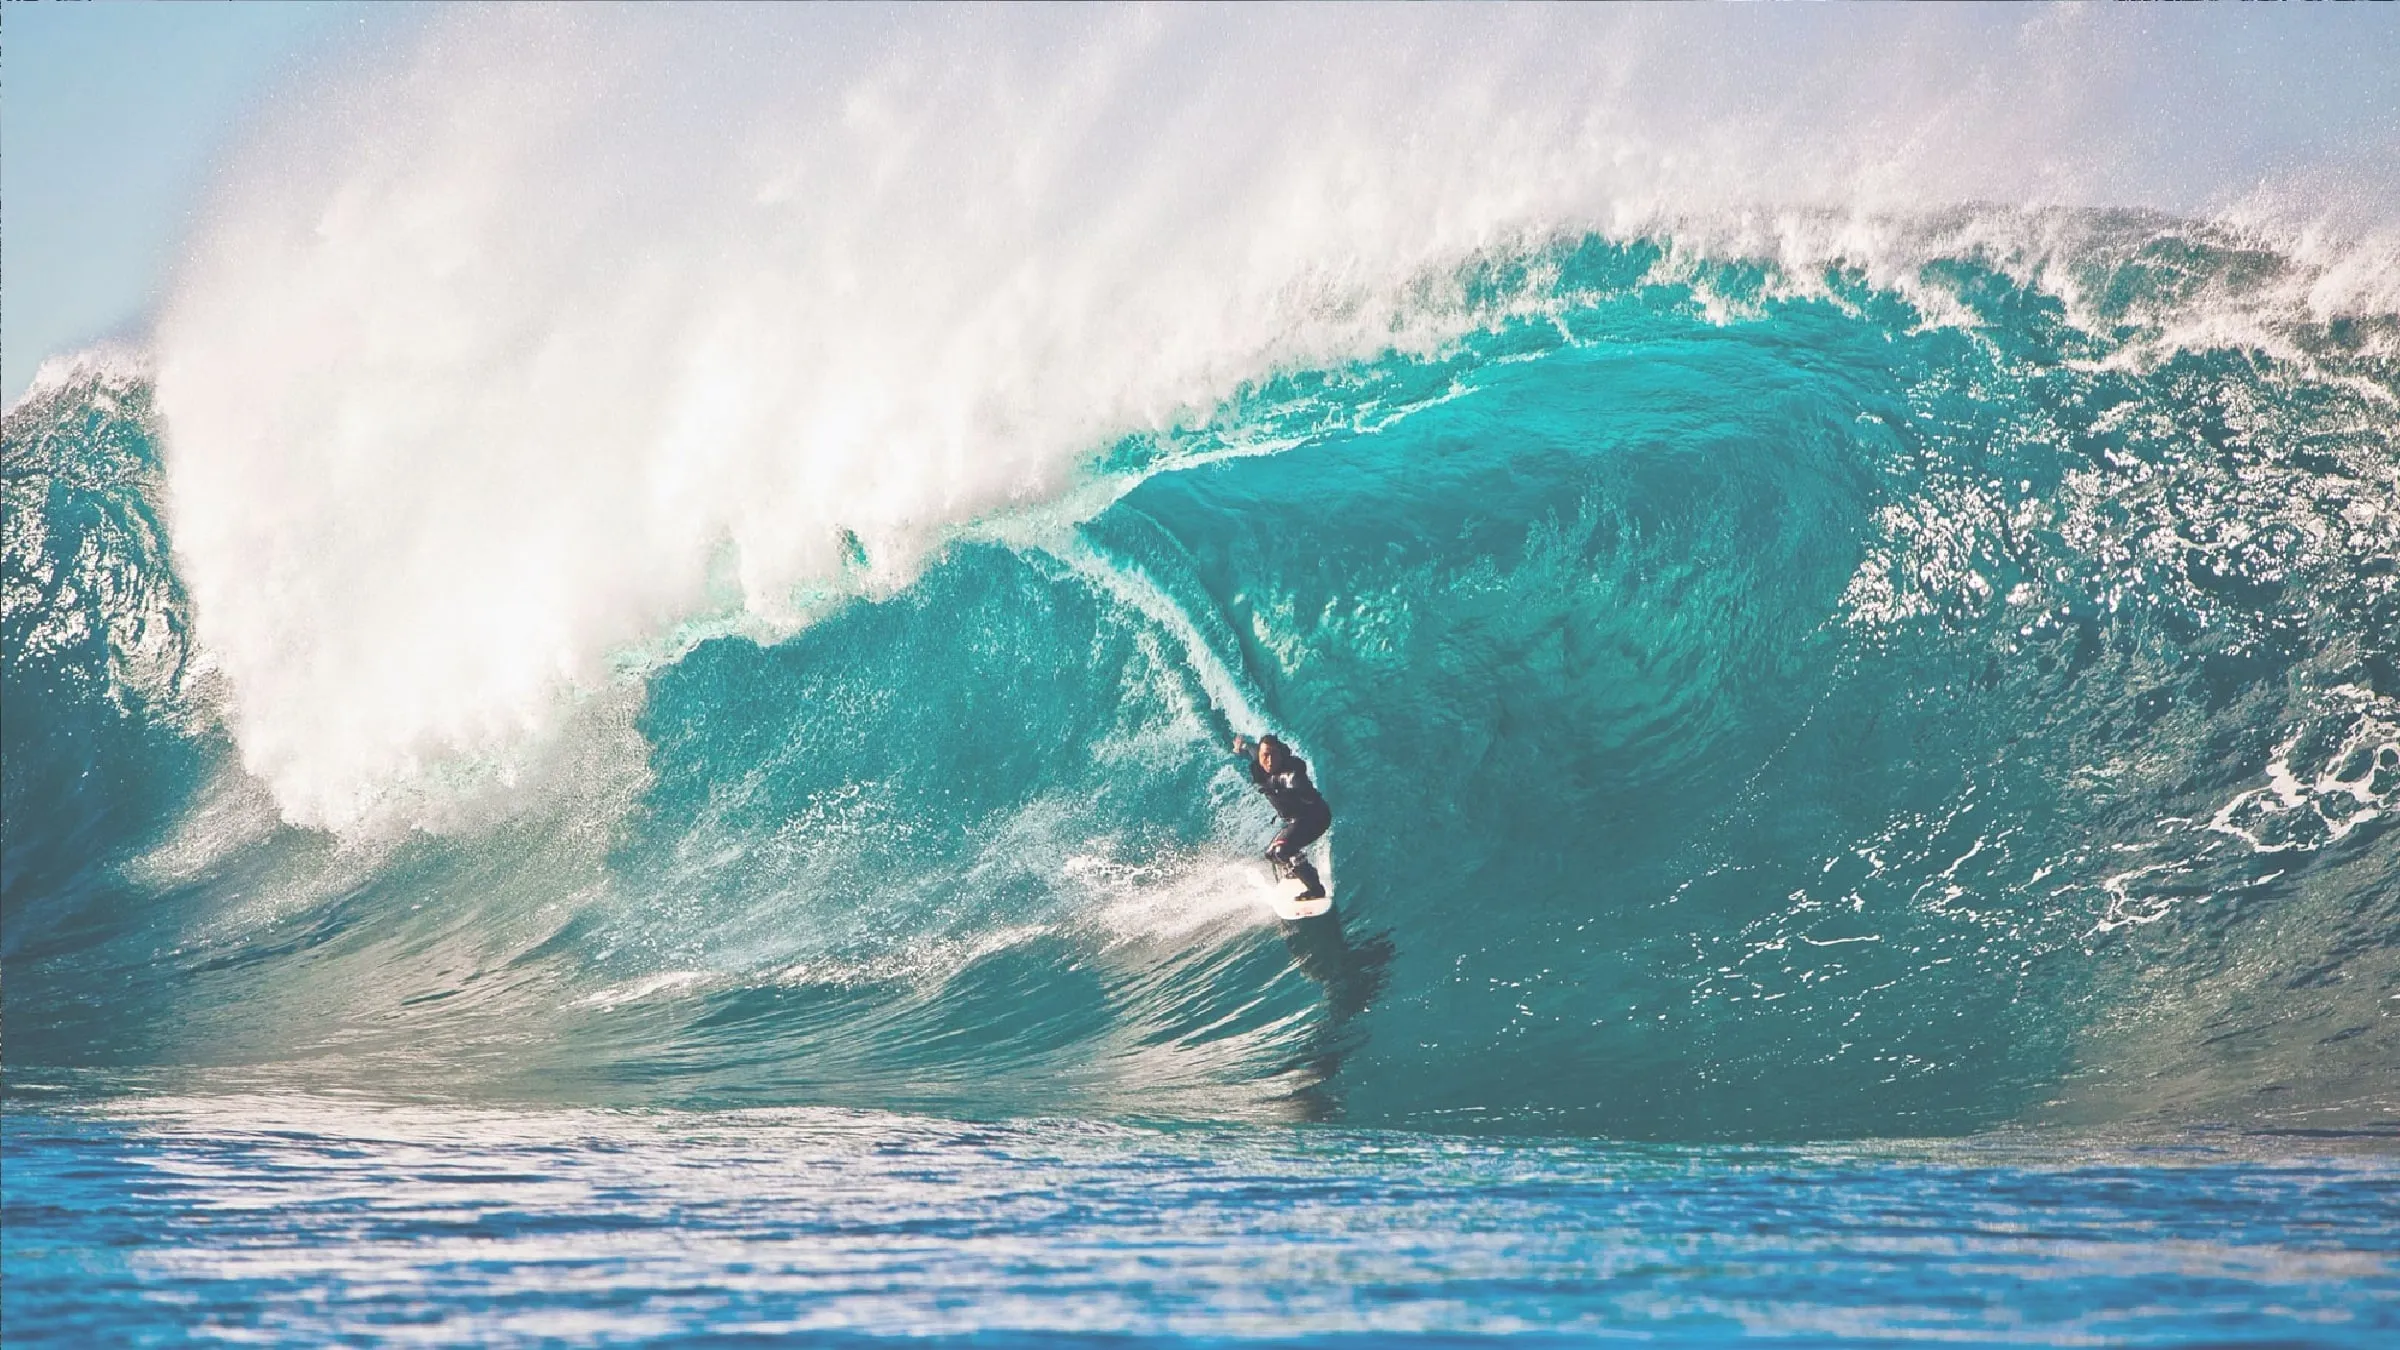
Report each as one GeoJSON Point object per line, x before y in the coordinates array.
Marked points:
{"type": "Point", "coordinates": [551, 333]}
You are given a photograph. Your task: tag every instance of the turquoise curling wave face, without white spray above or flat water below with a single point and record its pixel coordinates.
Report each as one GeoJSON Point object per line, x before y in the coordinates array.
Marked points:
{"type": "Point", "coordinates": [1811, 722]}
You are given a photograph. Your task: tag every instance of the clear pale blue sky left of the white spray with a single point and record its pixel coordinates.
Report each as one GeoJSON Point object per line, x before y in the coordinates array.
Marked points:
{"type": "Point", "coordinates": [114, 114]}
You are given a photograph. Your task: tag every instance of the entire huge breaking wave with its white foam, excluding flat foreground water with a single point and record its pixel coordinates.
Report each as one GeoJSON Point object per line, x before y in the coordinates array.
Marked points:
{"type": "Point", "coordinates": [1780, 674]}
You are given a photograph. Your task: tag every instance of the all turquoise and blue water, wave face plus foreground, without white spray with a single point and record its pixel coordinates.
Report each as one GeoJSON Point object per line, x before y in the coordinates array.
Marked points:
{"type": "Point", "coordinates": [1772, 729]}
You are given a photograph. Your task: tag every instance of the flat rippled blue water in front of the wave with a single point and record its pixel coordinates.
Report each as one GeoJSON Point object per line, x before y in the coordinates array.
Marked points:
{"type": "Point", "coordinates": [306, 1221]}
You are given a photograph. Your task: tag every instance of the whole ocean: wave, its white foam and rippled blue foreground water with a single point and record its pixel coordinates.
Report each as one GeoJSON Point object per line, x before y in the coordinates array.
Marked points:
{"type": "Point", "coordinates": [1866, 753]}
